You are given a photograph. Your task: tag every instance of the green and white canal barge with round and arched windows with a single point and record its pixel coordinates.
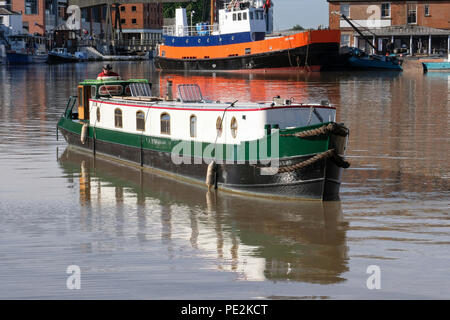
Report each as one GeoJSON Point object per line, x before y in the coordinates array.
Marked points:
{"type": "Point", "coordinates": [280, 148]}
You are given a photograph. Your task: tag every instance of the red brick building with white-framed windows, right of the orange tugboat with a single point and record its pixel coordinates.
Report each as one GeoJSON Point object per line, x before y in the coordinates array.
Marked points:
{"type": "Point", "coordinates": [421, 26]}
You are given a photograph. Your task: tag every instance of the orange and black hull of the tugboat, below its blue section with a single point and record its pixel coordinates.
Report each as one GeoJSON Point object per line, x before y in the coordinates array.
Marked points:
{"type": "Point", "coordinates": [309, 50]}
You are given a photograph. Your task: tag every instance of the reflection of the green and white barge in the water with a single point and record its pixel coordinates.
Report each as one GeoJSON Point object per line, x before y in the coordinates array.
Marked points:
{"type": "Point", "coordinates": [259, 239]}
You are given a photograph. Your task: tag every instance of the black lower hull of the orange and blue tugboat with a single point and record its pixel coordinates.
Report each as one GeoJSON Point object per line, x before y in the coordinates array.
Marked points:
{"type": "Point", "coordinates": [312, 58]}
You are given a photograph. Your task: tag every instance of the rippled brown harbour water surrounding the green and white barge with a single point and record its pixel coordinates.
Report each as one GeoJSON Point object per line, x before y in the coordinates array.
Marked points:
{"type": "Point", "coordinates": [138, 235]}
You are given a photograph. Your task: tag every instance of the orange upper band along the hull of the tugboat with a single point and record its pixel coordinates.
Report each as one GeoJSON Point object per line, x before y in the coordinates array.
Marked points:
{"type": "Point", "coordinates": [297, 40]}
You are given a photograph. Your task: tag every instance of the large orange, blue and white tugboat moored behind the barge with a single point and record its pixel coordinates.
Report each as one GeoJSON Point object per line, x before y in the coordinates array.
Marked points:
{"type": "Point", "coordinates": [240, 41]}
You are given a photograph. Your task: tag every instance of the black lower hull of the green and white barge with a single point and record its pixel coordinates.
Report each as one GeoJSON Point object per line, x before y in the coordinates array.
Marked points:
{"type": "Point", "coordinates": [319, 181]}
